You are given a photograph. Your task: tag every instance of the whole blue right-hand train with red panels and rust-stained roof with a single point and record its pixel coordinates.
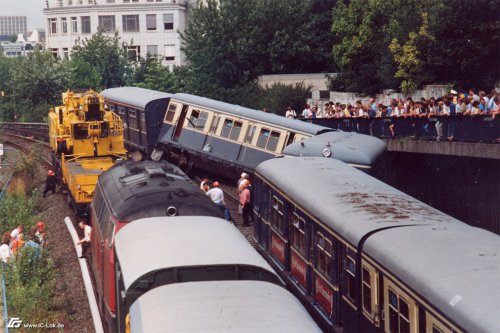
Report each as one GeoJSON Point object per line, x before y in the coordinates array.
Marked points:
{"type": "Point", "coordinates": [365, 257]}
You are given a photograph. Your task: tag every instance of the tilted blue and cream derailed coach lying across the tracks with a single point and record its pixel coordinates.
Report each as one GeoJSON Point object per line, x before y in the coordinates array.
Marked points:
{"type": "Point", "coordinates": [226, 138]}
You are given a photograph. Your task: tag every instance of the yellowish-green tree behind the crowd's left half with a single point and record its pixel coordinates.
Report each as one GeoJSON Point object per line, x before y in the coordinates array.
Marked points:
{"type": "Point", "coordinates": [364, 31]}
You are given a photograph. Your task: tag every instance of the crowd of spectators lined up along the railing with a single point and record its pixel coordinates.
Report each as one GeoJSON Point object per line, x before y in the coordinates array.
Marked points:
{"type": "Point", "coordinates": [452, 104]}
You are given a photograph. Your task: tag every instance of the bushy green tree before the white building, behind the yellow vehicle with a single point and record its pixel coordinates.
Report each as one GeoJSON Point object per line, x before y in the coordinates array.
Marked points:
{"type": "Point", "coordinates": [107, 56]}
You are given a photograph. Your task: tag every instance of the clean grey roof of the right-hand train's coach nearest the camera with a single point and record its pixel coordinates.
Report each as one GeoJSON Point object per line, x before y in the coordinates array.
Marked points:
{"type": "Point", "coordinates": [455, 267]}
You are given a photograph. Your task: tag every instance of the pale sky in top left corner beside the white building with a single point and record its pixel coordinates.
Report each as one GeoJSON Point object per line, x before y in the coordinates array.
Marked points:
{"type": "Point", "coordinates": [30, 8]}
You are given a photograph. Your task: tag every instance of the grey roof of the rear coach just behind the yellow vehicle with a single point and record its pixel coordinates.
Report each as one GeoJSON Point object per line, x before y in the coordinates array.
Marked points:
{"type": "Point", "coordinates": [134, 96]}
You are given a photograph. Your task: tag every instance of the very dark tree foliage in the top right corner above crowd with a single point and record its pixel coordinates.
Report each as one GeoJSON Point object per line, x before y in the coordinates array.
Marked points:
{"type": "Point", "coordinates": [467, 48]}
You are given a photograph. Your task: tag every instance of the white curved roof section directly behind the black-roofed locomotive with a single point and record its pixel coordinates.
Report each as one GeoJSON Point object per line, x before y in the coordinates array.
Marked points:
{"type": "Point", "coordinates": [180, 242]}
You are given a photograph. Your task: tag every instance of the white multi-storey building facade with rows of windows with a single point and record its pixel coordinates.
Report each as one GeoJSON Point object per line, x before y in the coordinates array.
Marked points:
{"type": "Point", "coordinates": [146, 26]}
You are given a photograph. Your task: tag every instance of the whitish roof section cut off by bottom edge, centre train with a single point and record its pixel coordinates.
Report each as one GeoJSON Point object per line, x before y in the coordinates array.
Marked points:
{"type": "Point", "coordinates": [220, 306]}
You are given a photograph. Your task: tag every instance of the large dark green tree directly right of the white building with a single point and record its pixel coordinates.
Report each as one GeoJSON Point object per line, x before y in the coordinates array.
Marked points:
{"type": "Point", "coordinates": [230, 43]}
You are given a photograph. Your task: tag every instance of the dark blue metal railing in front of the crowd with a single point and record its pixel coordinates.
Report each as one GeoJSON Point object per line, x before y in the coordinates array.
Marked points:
{"type": "Point", "coordinates": [484, 129]}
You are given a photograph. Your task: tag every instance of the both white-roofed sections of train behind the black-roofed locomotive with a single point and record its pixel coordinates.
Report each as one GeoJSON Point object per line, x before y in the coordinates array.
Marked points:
{"type": "Point", "coordinates": [202, 277]}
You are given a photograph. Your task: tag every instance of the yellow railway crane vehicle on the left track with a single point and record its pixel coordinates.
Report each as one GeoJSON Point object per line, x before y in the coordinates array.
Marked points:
{"type": "Point", "coordinates": [86, 139]}
